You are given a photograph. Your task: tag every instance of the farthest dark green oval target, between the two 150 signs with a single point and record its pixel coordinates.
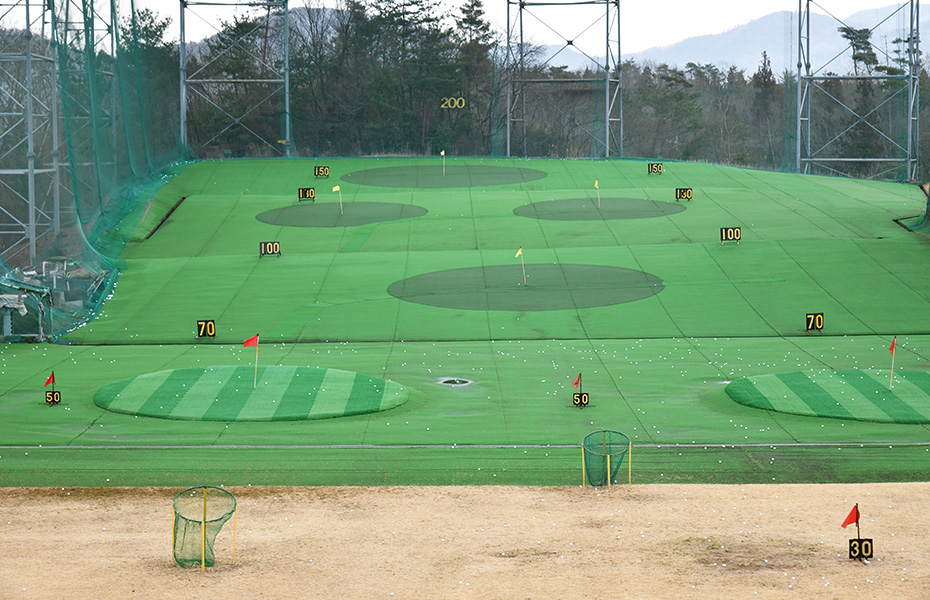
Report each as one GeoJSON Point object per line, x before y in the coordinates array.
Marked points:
{"type": "Point", "coordinates": [431, 176]}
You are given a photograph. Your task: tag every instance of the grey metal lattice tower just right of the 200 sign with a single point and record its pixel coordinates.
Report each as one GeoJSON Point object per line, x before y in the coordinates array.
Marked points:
{"type": "Point", "coordinates": [609, 141]}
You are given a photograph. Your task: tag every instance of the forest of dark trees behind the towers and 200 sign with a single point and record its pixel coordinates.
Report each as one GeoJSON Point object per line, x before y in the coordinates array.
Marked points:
{"type": "Point", "coordinates": [375, 76]}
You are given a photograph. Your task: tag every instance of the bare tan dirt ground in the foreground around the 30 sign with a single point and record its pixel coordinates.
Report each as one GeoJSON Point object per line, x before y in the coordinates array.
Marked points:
{"type": "Point", "coordinates": [654, 541]}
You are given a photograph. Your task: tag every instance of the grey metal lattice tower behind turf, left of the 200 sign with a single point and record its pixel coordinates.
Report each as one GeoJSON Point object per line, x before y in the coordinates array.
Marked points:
{"type": "Point", "coordinates": [272, 77]}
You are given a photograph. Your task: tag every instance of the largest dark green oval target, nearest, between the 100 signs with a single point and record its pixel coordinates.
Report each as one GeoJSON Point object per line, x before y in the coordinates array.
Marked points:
{"type": "Point", "coordinates": [548, 287]}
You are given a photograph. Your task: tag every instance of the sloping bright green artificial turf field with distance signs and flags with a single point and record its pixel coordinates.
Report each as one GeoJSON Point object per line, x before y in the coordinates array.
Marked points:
{"type": "Point", "coordinates": [410, 279]}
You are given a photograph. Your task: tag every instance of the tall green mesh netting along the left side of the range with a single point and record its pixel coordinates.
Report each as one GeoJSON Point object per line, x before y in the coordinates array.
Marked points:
{"type": "Point", "coordinates": [105, 113]}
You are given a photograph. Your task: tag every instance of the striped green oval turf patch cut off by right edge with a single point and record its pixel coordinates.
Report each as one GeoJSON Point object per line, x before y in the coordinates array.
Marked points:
{"type": "Point", "coordinates": [858, 394]}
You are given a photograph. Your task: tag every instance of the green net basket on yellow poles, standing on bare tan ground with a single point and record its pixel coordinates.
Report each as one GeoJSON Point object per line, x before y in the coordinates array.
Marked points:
{"type": "Point", "coordinates": [199, 515]}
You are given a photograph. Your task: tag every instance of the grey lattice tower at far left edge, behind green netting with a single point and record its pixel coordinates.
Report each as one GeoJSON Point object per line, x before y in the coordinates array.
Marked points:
{"type": "Point", "coordinates": [30, 191]}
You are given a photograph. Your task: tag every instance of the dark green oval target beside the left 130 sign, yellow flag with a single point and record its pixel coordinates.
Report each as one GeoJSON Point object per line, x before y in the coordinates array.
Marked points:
{"type": "Point", "coordinates": [329, 214]}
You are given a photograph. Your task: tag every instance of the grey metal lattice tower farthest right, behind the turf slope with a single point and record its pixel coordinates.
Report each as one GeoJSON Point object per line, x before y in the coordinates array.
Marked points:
{"type": "Point", "coordinates": [895, 149]}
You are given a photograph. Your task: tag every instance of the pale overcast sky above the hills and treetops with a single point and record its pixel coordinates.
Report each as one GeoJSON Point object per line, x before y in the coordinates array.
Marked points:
{"type": "Point", "coordinates": [643, 24]}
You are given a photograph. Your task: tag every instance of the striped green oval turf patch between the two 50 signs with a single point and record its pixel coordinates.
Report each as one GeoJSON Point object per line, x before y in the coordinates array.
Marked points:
{"type": "Point", "coordinates": [223, 394]}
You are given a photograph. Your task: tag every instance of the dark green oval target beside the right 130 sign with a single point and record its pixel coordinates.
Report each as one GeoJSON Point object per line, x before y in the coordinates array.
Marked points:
{"type": "Point", "coordinates": [586, 209]}
